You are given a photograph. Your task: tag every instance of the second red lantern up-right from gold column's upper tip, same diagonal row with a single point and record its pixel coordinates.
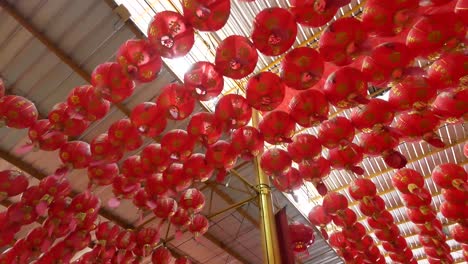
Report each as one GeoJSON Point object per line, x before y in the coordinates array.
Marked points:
{"type": "Point", "coordinates": [302, 68]}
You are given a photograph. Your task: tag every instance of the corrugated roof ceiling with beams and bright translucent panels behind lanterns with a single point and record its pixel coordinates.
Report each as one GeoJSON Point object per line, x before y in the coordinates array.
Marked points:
{"type": "Point", "coordinates": [47, 47]}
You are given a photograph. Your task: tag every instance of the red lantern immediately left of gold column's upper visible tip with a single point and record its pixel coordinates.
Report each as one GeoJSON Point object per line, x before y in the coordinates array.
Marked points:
{"type": "Point", "coordinates": [233, 111]}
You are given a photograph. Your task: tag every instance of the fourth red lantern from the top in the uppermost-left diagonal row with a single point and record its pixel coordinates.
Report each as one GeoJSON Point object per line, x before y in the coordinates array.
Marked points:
{"type": "Point", "coordinates": [111, 82]}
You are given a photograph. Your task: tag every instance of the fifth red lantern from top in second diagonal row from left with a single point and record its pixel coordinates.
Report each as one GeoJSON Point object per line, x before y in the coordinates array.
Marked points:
{"type": "Point", "coordinates": [176, 101]}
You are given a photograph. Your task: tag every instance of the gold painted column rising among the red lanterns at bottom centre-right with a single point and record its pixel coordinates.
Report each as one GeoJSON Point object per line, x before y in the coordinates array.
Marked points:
{"type": "Point", "coordinates": [271, 253]}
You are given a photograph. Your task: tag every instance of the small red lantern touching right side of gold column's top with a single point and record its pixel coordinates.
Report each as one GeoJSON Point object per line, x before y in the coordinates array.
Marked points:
{"type": "Point", "coordinates": [275, 161]}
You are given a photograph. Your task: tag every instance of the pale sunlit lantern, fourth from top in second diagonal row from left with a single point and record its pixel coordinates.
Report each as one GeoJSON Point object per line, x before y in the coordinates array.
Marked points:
{"type": "Point", "coordinates": [204, 81]}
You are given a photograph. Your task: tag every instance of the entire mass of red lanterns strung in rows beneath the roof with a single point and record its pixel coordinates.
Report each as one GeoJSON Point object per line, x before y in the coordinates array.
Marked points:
{"type": "Point", "coordinates": [379, 49]}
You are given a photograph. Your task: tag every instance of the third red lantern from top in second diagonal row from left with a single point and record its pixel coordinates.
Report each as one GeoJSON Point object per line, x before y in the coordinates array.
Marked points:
{"type": "Point", "coordinates": [236, 57]}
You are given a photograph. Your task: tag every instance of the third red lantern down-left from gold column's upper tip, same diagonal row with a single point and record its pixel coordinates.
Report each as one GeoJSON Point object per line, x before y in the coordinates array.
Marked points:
{"type": "Point", "coordinates": [178, 144]}
